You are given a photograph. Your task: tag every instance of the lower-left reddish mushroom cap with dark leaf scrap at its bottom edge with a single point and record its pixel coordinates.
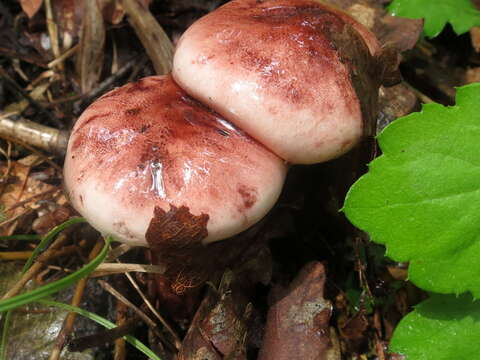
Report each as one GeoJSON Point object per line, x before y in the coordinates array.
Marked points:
{"type": "Point", "coordinates": [148, 144]}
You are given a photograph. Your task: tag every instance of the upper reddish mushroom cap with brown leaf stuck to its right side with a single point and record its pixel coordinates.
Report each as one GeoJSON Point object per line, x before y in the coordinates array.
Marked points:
{"type": "Point", "coordinates": [291, 73]}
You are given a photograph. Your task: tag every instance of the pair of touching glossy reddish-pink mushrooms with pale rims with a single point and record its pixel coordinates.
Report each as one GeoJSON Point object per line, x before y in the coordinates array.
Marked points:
{"type": "Point", "coordinates": [298, 76]}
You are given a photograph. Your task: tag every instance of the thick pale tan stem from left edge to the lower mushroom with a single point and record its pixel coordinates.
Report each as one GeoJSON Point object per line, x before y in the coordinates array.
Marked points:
{"type": "Point", "coordinates": [28, 132]}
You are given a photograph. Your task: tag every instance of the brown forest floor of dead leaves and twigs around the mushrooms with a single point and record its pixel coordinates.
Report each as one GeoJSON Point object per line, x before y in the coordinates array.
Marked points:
{"type": "Point", "coordinates": [58, 56]}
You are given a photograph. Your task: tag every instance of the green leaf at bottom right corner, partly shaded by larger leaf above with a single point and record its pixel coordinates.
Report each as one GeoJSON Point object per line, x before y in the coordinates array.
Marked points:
{"type": "Point", "coordinates": [443, 327]}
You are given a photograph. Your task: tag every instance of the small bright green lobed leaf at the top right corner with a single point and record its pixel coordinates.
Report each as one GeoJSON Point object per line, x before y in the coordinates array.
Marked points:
{"type": "Point", "coordinates": [460, 13]}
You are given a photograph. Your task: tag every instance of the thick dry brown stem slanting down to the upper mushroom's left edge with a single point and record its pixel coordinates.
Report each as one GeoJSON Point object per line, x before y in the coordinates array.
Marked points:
{"type": "Point", "coordinates": [156, 42]}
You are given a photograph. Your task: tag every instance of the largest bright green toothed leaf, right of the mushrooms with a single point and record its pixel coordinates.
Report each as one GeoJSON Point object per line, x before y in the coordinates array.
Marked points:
{"type": "Point", "coordinates": [421, 198]}
